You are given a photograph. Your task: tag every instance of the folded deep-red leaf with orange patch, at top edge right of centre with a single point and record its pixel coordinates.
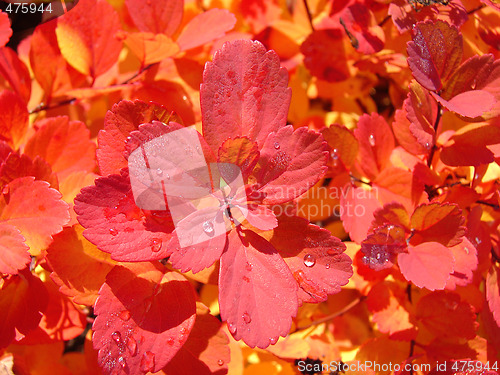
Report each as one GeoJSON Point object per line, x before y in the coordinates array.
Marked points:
{"type": "Point", "coordinates": [361, 24]}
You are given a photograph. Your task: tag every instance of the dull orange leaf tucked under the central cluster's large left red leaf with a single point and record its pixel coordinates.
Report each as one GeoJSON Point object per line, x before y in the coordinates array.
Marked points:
{"type": "Point", "coordinates": [78, 267]}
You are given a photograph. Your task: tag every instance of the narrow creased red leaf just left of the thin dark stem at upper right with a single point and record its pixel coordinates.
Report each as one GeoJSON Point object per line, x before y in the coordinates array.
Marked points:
{"type": "Point", "coordinates": [422, 112]}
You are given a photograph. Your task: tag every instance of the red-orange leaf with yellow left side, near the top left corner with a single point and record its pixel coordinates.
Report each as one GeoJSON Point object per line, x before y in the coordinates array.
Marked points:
{"type": "Point", "coordinates": [87, 39]}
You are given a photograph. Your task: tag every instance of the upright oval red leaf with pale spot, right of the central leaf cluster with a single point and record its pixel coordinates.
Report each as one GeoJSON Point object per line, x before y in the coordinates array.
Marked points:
{"type": "Point", "coordinates": [376, 143]}
